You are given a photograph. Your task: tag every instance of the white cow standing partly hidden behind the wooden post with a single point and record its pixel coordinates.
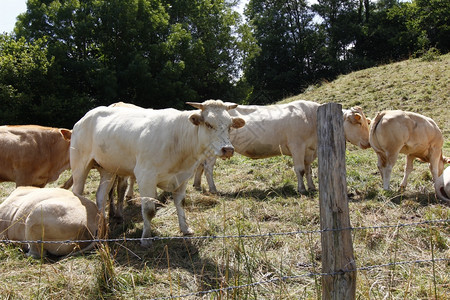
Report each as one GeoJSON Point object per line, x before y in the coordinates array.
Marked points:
{"type": "Point", "coordinates": [289, 129]}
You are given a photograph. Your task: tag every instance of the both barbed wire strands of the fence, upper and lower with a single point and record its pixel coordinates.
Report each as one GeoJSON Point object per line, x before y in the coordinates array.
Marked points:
{"type": "Point", "coordinates": [262, 235]}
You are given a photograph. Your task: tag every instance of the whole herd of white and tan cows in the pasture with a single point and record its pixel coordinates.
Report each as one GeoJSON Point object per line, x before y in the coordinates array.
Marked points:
{"type": "Point", "coordinates": [164, 148]}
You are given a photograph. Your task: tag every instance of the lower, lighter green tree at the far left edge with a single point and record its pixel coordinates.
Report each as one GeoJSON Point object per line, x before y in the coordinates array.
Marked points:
{"type": "Point", "coordinates": [31, 92]}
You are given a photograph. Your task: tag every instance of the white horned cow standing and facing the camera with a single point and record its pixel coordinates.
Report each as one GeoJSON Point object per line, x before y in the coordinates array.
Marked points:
{"type": "Point", "coordinates": [161, 148]}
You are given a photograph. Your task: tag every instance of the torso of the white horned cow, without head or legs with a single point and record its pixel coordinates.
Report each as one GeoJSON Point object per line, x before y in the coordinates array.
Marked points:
{"type": "Point", "coordinates": [118, 137]}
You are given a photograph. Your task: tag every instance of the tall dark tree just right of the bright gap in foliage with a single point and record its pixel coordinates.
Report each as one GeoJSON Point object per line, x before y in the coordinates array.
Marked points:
{"type": "Point", "coordinates": [289, 49]}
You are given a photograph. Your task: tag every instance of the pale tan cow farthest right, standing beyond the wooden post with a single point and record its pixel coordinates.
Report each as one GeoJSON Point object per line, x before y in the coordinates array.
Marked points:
{"type": "Point", "coordinates": [395, 131]}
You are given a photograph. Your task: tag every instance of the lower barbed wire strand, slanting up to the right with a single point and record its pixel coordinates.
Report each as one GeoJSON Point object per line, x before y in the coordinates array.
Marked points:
{"type": "Point", "coordinates": [293, 277]}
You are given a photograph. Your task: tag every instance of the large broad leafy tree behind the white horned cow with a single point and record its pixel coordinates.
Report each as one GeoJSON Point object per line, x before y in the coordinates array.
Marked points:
{"type": "Point", "coordinates": [148, 52]}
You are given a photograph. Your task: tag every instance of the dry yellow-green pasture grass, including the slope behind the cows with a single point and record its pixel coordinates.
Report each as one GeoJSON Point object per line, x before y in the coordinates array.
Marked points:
{"type": "Point", "coordinates": [258, 197]}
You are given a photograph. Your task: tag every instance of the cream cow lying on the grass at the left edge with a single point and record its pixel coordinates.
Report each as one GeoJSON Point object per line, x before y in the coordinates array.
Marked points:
{"type": "Point", "coordinates": [48, 214]}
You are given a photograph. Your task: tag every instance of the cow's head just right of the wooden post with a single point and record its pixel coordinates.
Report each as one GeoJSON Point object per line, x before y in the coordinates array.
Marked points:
{"type": "Point", "coordinates": [356, 127]}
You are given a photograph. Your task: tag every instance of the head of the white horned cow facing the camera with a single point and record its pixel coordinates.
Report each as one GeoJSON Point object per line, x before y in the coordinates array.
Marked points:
{"type": "Point", "coordinates": [214, 124]}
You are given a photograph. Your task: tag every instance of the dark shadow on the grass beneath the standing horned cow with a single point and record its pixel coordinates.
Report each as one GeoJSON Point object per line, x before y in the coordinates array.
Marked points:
{"type": "Point", "coordinates": [166, 255]}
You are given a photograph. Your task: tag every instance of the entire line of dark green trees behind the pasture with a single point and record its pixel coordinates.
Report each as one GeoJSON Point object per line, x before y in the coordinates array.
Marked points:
{"type": "Point", "coordinates": [67, 56]}
